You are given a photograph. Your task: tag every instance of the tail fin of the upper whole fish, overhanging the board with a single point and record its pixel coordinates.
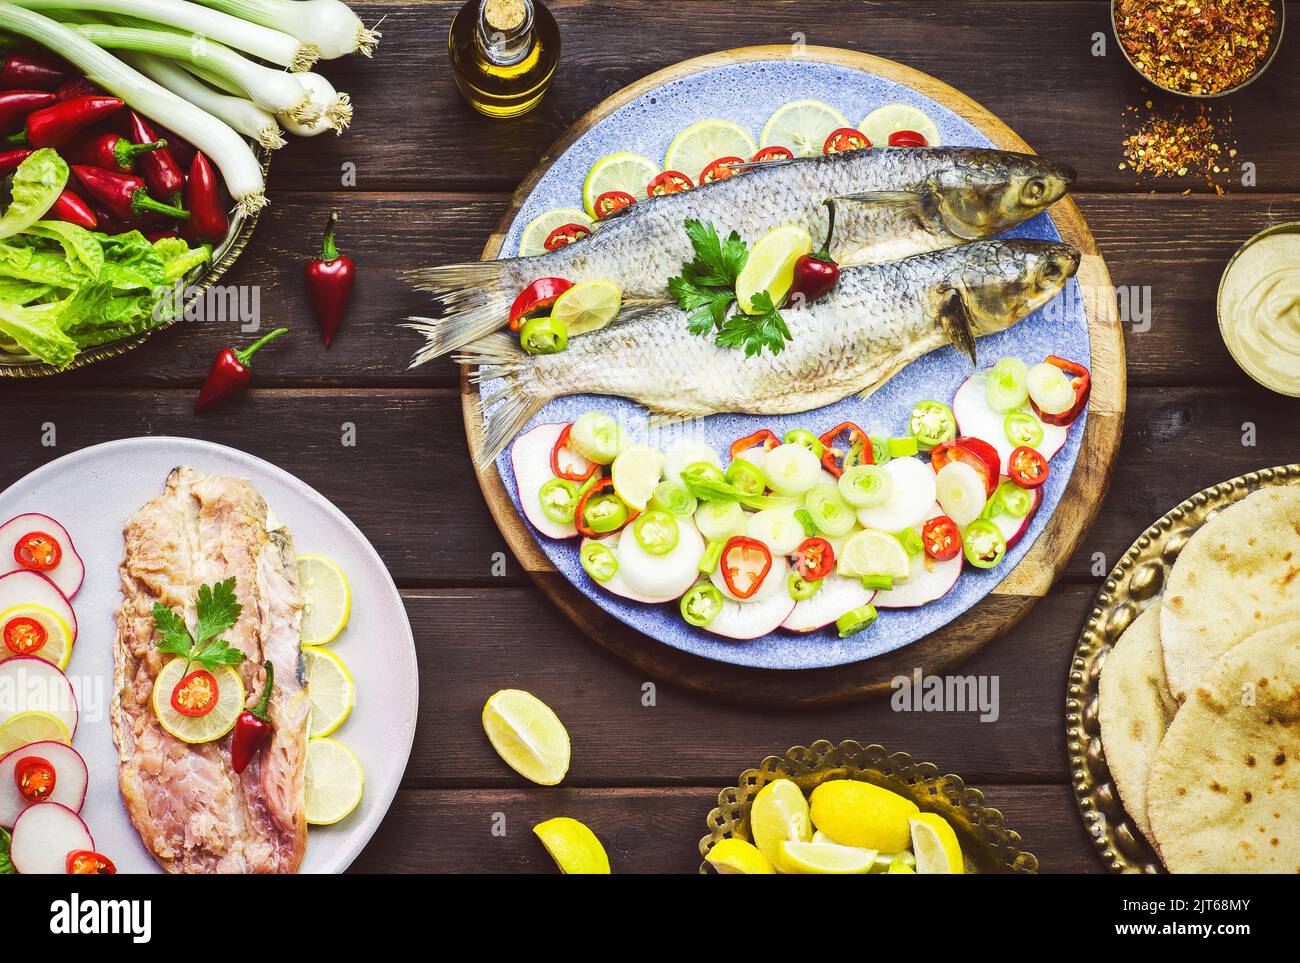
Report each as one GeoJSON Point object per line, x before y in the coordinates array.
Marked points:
{"type": "Point", "coordinates": [473, 303]}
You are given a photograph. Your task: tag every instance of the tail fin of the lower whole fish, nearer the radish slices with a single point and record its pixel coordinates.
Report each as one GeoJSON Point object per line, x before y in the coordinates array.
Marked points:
{"type": "Point", "coordinates": [510, 407]}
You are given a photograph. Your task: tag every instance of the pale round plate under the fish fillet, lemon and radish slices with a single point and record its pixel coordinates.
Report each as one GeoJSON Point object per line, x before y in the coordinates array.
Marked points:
{"type": "Point", "coordinates": [93, 493]}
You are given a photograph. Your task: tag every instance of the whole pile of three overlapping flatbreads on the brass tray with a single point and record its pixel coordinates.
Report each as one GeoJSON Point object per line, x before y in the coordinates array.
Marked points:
{"type": "Point", "coordinates": [1199, 700]}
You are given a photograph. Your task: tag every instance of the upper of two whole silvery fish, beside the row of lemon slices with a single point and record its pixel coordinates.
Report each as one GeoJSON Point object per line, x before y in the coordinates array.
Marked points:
{"type": "Point", "coordinates": [890, 203]}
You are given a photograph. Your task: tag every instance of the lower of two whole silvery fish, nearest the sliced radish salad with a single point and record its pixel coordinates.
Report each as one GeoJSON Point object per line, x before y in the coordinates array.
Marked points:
{"type": "Point", "coordinates": [879, 319]}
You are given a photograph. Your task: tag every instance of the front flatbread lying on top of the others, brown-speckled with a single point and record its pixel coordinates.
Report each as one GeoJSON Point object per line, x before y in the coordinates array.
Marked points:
{"type": "Point", "coordinates": [1225, 783]}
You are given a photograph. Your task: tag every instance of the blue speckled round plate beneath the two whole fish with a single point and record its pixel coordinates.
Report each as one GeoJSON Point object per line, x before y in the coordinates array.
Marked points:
{"type": "Point", "coordinates": [748, 93]}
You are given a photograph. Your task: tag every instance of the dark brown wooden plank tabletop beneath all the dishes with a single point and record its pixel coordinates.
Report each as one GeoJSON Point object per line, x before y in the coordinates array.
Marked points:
{"type": "Point", "coordinates": [432, 180]}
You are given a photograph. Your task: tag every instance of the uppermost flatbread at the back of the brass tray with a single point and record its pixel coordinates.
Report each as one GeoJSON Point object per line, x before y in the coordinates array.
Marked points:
{"type": "Point", "coordinates": [1240, 574]}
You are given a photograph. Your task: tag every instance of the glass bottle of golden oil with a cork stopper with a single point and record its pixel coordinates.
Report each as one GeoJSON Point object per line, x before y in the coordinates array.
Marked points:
{"type": "Point", "coordinates": [504, 55]}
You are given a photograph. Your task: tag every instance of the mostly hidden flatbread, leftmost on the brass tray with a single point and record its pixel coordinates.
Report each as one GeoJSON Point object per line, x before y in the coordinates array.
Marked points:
{"type": "Point", "coordinates": [1134, 708]}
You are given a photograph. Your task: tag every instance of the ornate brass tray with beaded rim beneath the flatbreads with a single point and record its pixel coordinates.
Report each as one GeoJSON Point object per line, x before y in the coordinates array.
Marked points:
{"type": "Point", "coordinates": [1138, 580]}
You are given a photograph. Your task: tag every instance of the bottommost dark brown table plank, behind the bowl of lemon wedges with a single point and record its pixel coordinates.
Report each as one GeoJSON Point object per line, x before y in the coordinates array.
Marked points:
{"type": "Point", "coordinates": [644, 831]}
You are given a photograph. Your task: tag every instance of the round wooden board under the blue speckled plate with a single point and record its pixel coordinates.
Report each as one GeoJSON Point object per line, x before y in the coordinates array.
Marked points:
{"type": "Point", "coordinates": [1002, 609]}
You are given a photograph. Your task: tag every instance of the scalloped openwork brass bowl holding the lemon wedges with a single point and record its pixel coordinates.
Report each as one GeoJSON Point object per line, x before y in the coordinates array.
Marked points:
{"type": "Point", "coordinates": [987, 844]}
